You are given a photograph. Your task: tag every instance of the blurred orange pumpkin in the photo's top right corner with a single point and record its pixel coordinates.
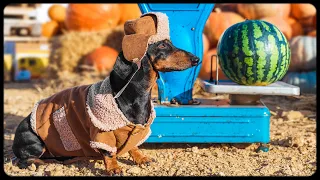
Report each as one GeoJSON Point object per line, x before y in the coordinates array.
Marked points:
{"type": "Point", "coordinates": [303, 10]}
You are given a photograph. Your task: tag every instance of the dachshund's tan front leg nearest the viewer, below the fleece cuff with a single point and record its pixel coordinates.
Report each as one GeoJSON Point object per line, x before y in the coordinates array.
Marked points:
{"type": "Point", "coordinates": [111, 164]}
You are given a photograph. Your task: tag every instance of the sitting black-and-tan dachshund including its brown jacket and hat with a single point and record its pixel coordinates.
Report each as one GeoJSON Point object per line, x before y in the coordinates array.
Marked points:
{"type": "Point", "coordinates": [111, 117]}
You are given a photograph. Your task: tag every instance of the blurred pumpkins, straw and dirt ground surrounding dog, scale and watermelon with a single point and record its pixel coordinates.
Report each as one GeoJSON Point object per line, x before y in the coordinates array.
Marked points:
{"type": "Point", "coordinates": [51, 47]}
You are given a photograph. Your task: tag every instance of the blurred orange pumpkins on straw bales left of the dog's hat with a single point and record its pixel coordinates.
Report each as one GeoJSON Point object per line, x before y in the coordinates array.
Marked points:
{"type": "Point", "coordinates": [89, 18]}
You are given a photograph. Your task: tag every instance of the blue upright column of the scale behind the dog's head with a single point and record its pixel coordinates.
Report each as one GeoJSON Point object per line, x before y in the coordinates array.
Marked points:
{"type": "Point", "coordinates": [186, 22]}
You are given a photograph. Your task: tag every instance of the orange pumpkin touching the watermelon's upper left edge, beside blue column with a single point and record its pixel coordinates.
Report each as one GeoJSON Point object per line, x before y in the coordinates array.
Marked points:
{"type": "Point", "coordinates": [218, 22]}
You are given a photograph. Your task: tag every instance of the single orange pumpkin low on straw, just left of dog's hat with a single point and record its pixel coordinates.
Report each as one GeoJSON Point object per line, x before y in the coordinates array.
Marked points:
{"type": "Point", "coordinates": [102, 58]}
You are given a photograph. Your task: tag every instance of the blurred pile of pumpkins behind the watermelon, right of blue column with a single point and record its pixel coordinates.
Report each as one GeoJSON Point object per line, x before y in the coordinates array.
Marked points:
{"type": "Point", "coordinates": [296, 21]}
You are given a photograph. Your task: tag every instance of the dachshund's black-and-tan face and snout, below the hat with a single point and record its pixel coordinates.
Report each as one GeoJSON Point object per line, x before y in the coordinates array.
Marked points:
{"type": "Point", "coordinates": [165, 57]}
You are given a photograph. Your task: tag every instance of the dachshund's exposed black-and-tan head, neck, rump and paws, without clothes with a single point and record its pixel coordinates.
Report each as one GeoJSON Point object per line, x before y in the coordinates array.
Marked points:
{"type": "Point", "coordinates": [134, 102]}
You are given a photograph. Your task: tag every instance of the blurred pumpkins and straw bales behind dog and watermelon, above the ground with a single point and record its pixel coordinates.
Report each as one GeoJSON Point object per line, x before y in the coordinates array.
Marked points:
{"type": "Point", "coordinates": [72, 41]}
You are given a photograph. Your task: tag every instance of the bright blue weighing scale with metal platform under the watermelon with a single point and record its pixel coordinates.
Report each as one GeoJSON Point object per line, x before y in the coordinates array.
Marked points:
{"type": "Point", "coordinates": [181, 119]}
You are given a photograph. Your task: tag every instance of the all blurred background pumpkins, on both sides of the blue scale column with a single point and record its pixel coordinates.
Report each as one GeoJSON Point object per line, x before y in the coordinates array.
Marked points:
{"type": "Point", "coordinates": [296, 21]}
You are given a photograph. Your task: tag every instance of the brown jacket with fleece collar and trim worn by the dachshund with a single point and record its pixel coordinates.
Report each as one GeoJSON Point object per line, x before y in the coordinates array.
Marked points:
{"type": "Point", "coordinates": [77, 121]}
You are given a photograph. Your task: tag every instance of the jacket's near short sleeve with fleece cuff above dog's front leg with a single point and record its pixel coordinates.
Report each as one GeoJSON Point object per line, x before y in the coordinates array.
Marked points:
{"type": "Point", "coordinates": [105, 140]}
